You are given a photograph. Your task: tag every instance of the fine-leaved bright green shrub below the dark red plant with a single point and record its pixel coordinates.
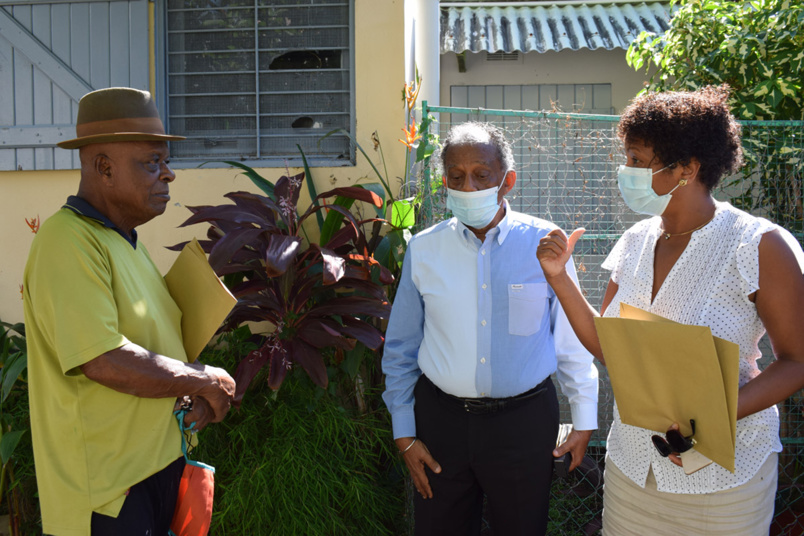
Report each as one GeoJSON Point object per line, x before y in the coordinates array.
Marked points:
{"type": "Point", "coordinates": [296, 461]}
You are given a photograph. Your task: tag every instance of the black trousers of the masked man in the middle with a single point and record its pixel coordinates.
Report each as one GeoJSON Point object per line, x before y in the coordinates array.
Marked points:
{"type": "Point", "coordinates": [506, 455]}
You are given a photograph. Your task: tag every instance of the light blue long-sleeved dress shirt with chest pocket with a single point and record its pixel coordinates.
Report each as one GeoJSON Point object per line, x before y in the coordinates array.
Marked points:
{"type": "Point", "coordinates": [480, 320]}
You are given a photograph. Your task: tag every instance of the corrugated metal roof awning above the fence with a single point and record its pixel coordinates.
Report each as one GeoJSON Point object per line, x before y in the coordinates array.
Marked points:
{"type": "Point", "coordinates": [549, 27]}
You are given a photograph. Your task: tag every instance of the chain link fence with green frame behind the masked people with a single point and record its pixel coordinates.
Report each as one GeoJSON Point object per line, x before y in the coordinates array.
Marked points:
{"type": "Point", "coordinates": [566, 173]}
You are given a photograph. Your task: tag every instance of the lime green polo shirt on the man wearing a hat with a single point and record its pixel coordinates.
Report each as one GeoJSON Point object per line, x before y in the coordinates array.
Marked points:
{"type": "Point", "coordinates": [87, 290]}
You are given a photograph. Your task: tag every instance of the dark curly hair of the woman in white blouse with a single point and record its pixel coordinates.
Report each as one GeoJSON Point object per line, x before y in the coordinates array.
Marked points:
{"type": "Point", "coordinates": [679, 125]}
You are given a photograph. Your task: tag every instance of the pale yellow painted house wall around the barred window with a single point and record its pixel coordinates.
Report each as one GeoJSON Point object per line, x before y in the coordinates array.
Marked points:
{"type": "Point", "coordinates": [379, 78]}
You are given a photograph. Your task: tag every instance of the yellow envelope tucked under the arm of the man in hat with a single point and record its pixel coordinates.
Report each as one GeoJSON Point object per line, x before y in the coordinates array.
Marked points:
{"type": "Point", "coordinates": [203, 299]}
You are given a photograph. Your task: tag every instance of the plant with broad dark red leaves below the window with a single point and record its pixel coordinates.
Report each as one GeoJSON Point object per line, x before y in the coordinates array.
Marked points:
{"type": "Point", "coordinates": [319, 296]}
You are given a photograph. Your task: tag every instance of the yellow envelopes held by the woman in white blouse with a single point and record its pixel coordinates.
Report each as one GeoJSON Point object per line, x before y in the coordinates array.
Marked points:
{"type": "Point", "coordinates": [664, 372]}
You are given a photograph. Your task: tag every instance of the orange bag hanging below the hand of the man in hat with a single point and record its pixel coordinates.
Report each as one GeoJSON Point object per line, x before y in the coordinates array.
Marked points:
{"type": "Point", "coordinates": [193, 513]}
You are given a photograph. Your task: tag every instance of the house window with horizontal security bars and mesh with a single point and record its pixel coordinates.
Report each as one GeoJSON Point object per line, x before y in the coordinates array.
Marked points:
{"type": "Point", "coordinates": [253, 79]}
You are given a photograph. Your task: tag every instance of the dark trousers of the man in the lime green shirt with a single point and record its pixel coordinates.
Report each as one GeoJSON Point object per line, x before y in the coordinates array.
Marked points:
{"type": "Point", "coordinates": [148, 509]}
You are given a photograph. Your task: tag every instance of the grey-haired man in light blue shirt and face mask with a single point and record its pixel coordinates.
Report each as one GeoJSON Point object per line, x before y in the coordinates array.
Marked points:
{"type": "Point", "coordinates": [474, 336]}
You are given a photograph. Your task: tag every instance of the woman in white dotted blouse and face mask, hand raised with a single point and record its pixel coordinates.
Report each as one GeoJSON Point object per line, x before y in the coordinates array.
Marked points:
{"type": "Point", "coordinates": [702, 262]}
